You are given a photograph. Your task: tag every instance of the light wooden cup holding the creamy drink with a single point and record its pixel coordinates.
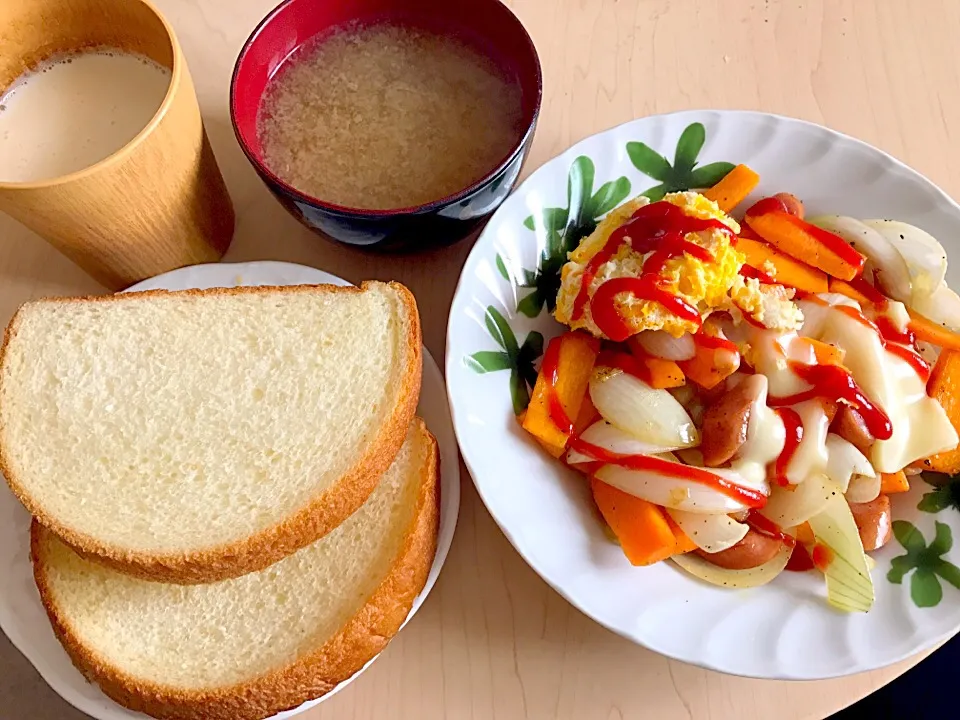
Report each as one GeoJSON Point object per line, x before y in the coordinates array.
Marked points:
{"type": "Point", "coordinates": [156, 204]}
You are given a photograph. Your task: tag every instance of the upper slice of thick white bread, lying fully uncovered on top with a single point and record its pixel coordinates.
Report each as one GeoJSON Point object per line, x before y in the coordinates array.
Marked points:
{"type": "Point", "coordinates": [195, 436]}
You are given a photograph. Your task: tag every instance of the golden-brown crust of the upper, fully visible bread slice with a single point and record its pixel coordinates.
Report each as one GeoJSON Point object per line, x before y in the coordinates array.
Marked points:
{"type": "Point", "coordinates": [324, 513]}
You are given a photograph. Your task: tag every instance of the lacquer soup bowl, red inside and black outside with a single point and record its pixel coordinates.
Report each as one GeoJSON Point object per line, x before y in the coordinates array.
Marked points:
{"type": "Point", "coordinates": [486, 25]}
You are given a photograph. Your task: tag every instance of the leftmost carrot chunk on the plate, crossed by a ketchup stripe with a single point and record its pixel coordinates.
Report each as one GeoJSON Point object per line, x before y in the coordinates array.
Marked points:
{"type": "Point", "coordinates": [577, 354]}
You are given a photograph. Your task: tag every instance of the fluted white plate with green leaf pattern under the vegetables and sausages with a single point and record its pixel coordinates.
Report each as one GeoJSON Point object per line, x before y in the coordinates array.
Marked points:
{"type": "Point", "coordinates": [782, 630]}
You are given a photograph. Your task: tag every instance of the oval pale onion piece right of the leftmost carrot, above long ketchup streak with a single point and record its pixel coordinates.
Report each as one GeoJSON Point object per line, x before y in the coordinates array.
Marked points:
{"type": "Point", "coordinates": [653, 416]}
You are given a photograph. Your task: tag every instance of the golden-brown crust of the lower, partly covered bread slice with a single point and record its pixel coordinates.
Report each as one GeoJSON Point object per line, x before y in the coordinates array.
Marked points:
{"type": "Point", "coordinates": [312, 676]}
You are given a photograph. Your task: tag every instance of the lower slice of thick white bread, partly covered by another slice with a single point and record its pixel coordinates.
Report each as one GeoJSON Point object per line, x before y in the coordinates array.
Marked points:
{"type": "Point", "coordinates": [252, 646]}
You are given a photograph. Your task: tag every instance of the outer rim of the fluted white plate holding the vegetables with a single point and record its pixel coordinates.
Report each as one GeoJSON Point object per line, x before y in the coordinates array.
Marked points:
{"type": "Point", "coordinates": [458, 416]}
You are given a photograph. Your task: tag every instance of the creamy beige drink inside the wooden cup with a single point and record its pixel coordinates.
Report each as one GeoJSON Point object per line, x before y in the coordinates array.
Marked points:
{"type": "Point", "coordinates": [74, 110]}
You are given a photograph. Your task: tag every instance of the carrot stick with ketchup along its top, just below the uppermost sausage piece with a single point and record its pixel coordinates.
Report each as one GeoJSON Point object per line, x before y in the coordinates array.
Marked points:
{"type": "Point", "coordinates": [770, 219]}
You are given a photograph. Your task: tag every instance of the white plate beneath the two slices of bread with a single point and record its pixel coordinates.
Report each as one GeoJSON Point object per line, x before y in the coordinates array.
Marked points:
{"type": "Point", "coordinates": [22, 616]}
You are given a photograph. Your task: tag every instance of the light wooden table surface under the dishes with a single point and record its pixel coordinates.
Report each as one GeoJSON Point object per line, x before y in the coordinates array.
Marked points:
{"type": "Point", "coordinates": [493, 641]}
